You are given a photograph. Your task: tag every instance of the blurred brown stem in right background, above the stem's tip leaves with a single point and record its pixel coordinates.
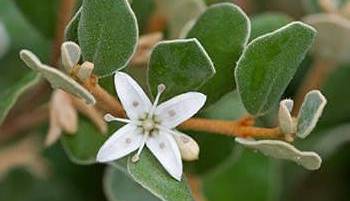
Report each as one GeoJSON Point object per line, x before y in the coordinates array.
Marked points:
{"type": "Point", "coordinates": [315, 77]}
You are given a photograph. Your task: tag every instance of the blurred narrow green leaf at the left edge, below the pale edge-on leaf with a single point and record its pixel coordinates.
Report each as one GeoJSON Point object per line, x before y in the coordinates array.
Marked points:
{"type": "Point", "coordinates": [10, 95]}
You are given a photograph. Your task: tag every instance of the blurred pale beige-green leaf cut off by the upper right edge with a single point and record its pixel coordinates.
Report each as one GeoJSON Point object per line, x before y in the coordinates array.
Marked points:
{"type": "Point", "coordinates": [332, 41]}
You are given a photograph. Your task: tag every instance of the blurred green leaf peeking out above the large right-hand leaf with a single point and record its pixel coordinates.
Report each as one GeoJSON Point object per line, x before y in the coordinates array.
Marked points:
{"type": "Point", "coordinates": [268, 22]}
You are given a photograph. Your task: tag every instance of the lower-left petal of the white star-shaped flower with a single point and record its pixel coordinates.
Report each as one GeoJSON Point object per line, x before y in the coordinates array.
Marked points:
{"type": "Point", "coordinates": [122, 142]}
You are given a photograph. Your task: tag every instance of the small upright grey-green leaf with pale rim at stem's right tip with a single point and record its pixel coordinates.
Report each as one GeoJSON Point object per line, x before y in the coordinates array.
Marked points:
{"type": "Point", "coordinates": [310, 112]}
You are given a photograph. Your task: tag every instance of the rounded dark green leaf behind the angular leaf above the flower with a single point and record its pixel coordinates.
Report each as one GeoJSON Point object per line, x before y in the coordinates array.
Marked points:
{"type": "Point", "coordinates": [223, 30]}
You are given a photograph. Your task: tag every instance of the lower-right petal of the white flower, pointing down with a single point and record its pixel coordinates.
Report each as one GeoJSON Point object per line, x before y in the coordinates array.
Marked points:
{"type": "Point", "coordinates": [164, 148]}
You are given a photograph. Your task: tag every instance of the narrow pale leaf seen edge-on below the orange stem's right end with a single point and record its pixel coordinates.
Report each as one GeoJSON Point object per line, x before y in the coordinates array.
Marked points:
{"type": "Point", "coordinates": [282, 150]}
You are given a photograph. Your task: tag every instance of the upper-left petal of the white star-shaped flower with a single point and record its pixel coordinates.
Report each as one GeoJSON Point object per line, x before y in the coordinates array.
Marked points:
{"type": "Point", "coordinates": [131, 95]}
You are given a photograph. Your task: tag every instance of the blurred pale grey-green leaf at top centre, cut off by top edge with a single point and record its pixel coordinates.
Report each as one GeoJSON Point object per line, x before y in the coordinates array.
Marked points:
{"type": "Point", "coordinates": [179, 13]}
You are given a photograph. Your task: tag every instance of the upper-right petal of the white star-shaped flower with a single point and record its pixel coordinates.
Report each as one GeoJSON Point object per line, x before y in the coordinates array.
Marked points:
{"type": "Point", "coordinates": [180, 108]}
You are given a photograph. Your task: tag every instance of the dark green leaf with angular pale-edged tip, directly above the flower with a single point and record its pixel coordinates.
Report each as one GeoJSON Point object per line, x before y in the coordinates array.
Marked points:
{"type": "Point", "coordinates": [182, 65]}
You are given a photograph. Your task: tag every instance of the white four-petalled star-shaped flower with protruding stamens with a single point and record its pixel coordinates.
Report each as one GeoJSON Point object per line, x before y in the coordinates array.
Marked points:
{"type": "Point", "coordinates": [149, 124]}
